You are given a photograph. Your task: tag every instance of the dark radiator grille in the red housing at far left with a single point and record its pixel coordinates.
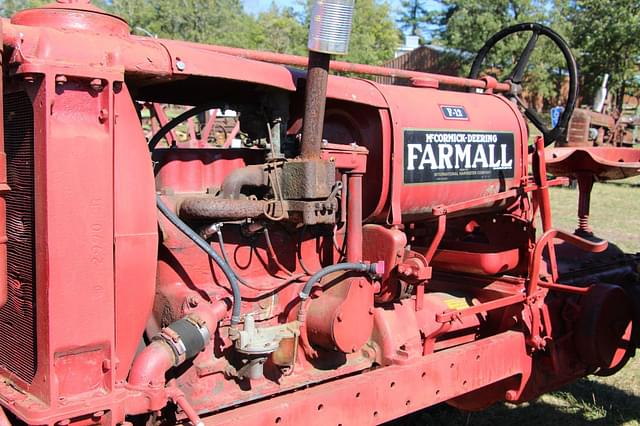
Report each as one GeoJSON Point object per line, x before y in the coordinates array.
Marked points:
{"type": "Point", "coordinates": [18, 316]}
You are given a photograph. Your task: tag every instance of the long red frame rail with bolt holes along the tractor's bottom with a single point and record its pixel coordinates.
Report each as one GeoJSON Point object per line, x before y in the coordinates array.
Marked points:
{"type": "Point", "coordinates": [381, 395]}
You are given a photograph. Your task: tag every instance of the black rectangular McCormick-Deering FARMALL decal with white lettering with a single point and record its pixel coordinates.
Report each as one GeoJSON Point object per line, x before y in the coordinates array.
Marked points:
{"type": "Point", "coordinates": [442, 156]}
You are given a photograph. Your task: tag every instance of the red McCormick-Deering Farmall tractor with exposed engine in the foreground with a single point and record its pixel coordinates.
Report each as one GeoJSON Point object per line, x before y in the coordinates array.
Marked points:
{"type": "Point", "coordinates": [360, 252]}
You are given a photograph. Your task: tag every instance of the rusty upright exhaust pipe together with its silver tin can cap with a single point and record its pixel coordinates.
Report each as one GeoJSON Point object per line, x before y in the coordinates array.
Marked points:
{"type": "Point", "coordinates": [329, 34]}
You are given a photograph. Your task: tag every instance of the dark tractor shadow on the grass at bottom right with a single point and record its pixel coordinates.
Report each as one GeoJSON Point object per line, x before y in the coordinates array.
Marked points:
{"type": "Point", "coordinates": [584, 402]}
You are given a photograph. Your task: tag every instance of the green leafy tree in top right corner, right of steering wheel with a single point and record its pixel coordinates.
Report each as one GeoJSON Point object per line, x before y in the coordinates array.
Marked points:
{"type": "Point", "coordinates": [606, 33]}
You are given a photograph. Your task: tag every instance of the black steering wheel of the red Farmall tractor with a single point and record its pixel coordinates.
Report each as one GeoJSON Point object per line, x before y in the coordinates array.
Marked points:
{"type": "Point", "coordinates": [517, 74]}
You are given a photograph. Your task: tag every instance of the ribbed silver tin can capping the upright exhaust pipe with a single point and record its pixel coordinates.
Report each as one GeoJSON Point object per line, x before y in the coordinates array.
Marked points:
{"type": "Point", "coordinates": [331, 26]}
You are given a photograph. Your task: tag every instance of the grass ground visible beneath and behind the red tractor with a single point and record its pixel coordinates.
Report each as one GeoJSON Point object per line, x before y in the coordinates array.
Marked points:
{"type": "Point", "coordinates": [615, 215]}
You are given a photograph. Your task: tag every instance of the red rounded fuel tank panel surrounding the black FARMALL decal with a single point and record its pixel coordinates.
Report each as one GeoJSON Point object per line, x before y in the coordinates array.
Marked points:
{"type": "Point", "coordinates": [410, 110]}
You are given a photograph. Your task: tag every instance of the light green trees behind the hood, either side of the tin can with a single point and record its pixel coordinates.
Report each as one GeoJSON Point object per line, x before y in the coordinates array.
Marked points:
{"type": "Point", "coordinates": [374, 37]}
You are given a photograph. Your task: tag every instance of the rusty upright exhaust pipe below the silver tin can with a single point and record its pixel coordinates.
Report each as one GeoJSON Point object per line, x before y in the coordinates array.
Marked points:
{"type": "Point", "coordinates": [314, 105]}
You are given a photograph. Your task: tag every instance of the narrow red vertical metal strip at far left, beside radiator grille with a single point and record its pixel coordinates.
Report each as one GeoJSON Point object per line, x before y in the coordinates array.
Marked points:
{"type": "Point", "coordinates": [4, 188]}
